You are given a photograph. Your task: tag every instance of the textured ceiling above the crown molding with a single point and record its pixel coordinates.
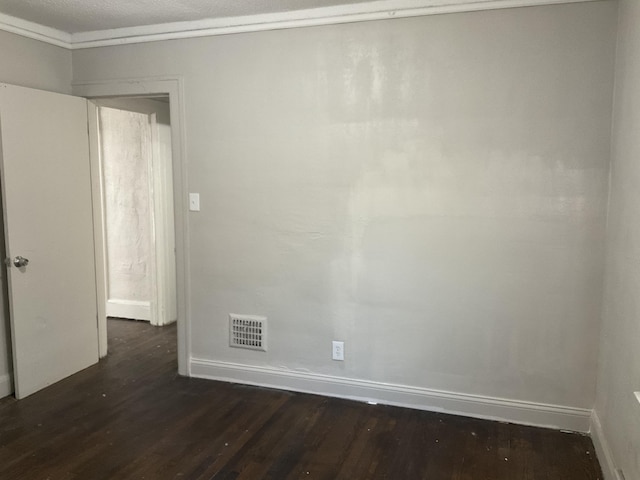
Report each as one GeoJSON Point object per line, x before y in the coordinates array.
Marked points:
{"type": "Point", "coordinates": [74, 16]}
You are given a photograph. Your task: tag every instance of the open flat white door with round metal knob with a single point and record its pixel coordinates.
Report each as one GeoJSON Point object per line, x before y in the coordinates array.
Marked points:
{"type": "Point", "coordinates": [46, 188]}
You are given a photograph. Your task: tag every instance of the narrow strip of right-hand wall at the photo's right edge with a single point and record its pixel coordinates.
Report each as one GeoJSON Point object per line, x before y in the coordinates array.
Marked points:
{"type": "Point", "coordinates": [619, 371]}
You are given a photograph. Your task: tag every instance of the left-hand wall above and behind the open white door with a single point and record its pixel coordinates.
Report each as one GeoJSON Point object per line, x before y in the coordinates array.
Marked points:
{"type": "Point", "coordinates": [33, 64]}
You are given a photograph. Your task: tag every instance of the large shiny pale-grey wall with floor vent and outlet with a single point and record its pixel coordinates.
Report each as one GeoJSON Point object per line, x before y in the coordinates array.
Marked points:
{"type": "Point", "coordinates": [430, 190]}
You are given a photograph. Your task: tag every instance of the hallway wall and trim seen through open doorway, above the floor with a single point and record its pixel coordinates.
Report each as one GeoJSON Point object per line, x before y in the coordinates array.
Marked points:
{"type": "Point", "coordinates": [136, 209]}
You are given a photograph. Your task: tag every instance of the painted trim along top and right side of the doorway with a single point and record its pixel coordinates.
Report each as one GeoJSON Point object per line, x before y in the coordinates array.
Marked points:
{"type": "Point", "coordinates": [174, 87]}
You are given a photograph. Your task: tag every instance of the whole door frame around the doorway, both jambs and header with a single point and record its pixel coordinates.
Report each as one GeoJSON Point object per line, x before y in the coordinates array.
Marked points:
{"type": "Point", "coordinates": [174, 88]}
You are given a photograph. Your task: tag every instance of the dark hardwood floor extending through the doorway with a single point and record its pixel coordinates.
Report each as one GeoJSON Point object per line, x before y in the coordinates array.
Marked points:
{"type": "Point", "coordinates": [132, 417]}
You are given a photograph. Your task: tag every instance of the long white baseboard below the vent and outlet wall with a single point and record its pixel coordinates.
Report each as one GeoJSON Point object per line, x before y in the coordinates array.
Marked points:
{"type": "Point", "coordinates": [514, 411]}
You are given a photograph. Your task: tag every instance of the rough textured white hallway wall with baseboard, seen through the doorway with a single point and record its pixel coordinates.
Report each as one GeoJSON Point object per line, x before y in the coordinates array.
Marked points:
{"type": "Point", "coordinates": [126, 151]}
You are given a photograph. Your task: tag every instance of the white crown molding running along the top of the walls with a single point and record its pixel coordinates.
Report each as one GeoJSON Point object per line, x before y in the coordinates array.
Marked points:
{"type": "Point", "coordinates": [350, 13]}
